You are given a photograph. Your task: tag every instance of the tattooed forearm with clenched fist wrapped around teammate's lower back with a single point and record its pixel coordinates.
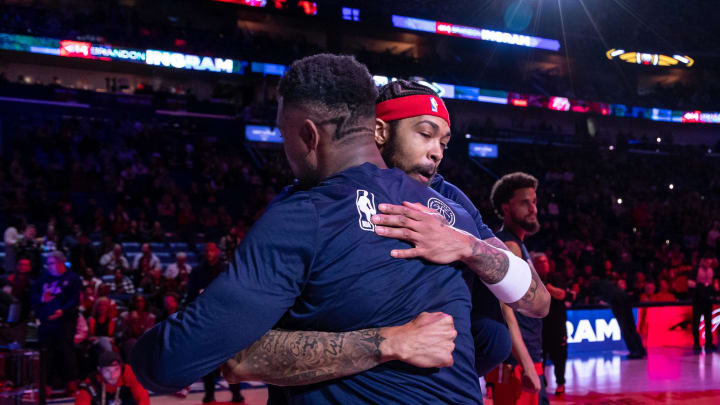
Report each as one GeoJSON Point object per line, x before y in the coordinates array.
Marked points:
{"type": "Point", "coordinates": [286, 358]}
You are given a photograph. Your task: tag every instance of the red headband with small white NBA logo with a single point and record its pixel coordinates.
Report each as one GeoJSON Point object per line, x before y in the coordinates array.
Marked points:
{"type": "Point", "coordinates": [412, 106]}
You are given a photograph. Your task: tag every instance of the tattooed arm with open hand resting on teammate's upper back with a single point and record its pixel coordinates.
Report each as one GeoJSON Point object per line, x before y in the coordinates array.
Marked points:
{"type": "Point", "coordinates": [436, 241]}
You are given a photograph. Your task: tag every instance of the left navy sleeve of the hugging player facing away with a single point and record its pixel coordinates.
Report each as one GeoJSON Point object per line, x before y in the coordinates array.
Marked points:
{"type": "Point", "coordinates": [270, 270]}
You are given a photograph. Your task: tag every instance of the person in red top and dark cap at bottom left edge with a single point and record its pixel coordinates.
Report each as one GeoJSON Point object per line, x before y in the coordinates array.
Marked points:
{"type": "Point", "coordinates": [113, 383]}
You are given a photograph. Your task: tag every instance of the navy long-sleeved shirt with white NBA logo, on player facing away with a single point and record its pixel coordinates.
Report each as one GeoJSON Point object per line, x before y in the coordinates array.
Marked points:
{"type": "Point", "coordinates": [314, 262]}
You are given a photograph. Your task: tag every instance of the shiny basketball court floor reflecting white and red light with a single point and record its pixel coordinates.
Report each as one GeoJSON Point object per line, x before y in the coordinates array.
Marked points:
{"type": "Point", "coordinates": [666, 376]}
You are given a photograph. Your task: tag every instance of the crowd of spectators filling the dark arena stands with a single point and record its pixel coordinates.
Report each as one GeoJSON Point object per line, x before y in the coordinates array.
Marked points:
{"type": "Point", "coordinates": [144, 211]}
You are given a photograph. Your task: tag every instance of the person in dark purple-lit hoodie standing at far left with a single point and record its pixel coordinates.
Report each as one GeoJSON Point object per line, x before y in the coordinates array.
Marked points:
{"type": "Point", "coordinates": [55, 300]}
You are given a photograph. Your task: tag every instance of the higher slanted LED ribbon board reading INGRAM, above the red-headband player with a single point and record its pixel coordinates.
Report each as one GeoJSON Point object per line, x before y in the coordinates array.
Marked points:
{"type": "Point", "coordinates": [482, 34]}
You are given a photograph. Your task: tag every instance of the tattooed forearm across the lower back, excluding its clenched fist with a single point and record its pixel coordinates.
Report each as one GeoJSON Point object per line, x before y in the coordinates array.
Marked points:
{"type": "Point", "coordinates": [299, 357]}
